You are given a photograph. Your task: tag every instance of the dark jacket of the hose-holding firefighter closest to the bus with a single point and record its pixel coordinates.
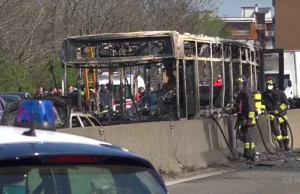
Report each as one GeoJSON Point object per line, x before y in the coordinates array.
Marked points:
{"type": "Point", "coordinates": [244, 107]}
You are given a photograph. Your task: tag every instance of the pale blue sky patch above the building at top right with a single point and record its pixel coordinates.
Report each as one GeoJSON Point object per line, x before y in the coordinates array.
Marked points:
{"type": "Point", "coordinates": [232, 8]}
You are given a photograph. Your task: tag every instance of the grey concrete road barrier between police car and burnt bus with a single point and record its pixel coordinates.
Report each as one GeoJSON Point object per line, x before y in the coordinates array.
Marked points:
{"type": "Point", "coordinates": [176, 144]}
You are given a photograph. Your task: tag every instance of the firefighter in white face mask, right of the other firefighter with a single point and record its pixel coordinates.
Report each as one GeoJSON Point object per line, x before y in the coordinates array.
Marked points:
{"type": "Point", "coordinates": [275, 100]}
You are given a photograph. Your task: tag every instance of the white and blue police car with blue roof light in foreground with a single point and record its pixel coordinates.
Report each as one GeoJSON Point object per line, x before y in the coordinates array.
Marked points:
{"type": "Point", "coordinates": [44, 161]}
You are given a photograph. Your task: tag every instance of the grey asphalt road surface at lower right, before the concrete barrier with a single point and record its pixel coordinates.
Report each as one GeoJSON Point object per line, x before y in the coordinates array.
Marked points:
{"type": "Point", "coordinates": [282, 178]}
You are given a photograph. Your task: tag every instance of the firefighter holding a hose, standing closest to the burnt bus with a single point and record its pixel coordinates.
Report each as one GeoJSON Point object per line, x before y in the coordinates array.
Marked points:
{"type": "Point", "coordinates": [244, 106]}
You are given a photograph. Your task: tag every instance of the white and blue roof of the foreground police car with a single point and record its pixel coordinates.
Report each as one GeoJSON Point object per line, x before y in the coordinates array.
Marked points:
{"type": "Point", "coordinates": [51, 142]}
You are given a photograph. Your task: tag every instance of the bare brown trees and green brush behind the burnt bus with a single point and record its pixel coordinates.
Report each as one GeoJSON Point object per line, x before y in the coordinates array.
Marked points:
{"type": "Point", "coordinates": [32, 31]}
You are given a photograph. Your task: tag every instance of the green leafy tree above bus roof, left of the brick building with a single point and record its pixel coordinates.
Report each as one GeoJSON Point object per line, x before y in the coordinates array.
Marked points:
{"type": "Point", "coordinates": [210, 26]}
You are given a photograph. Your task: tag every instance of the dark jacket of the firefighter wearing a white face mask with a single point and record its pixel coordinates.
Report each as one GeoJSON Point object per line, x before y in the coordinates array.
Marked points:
{"type": "Point", "coordinates": [275, 101]}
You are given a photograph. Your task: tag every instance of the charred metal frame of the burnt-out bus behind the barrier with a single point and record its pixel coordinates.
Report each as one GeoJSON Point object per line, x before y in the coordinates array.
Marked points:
{"type": "Point", "coordinates": [176, 51]}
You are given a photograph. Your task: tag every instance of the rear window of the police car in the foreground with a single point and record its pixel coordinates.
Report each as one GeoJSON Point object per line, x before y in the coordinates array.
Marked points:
{"type": "Point", "coordinates": [79, 179]}
